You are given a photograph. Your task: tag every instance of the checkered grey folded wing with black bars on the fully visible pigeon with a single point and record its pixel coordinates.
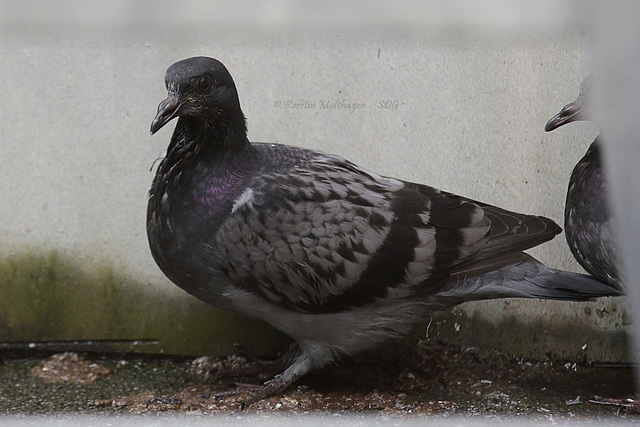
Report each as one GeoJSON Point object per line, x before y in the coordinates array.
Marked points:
{"type": "Point", "coordinates": [319, 234]}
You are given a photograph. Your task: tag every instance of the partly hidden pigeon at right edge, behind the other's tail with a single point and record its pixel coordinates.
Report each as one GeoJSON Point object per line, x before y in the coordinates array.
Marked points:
{"type": "Point", "coordinates": [588, 219]}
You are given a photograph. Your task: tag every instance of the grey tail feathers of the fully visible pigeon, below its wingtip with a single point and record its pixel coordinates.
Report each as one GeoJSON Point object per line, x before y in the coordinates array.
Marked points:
{"type": "Point", "coordinates": [527, 278]}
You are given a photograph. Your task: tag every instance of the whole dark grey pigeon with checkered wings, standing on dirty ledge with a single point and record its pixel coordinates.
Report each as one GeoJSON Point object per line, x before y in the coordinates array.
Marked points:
{"type": "Point", "coordinates": [337, 257]}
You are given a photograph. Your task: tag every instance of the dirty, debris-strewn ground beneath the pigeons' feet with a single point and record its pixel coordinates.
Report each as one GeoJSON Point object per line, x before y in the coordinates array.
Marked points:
{"type": "Point", "coordinates": [435, 379]}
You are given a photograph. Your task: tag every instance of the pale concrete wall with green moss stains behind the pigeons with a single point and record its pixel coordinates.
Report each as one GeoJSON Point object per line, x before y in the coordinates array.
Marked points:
{"type": "Point", "coordinates": [467, 115]}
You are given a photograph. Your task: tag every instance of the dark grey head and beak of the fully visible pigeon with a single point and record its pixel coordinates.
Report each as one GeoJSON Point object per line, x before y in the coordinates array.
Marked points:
{"type": "Point", "coordinates": [203, 89]}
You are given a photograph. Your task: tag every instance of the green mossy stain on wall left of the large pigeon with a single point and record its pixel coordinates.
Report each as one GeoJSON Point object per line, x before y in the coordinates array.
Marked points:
{"type": "Point", "coordinates": [47, 297]}
